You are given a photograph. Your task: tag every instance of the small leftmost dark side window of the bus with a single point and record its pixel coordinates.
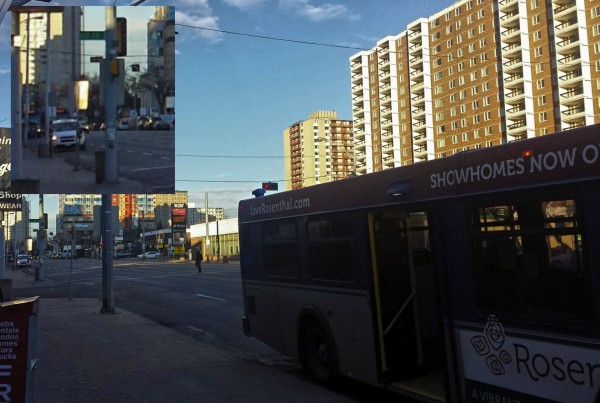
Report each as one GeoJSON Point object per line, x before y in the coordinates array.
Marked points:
{"type": "Point", "coordinates": [281, 254]}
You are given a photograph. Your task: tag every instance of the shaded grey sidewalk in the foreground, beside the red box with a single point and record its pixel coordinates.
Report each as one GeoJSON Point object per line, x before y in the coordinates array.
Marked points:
{"type": "Point", "coordinates": [85, 356]}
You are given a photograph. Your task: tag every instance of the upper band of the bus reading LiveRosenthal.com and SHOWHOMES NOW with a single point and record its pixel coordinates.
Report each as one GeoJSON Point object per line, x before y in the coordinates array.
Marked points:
{"type": "Point", "coordinates": [563, 157]}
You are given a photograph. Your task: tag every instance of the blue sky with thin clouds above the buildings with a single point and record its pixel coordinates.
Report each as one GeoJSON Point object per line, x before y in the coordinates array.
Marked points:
{"type": "Point", "coordinates": [235, 94]}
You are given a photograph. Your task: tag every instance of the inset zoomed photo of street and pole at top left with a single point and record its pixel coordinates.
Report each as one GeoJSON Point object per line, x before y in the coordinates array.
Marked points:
{"type": "Point", "coordinates": [96, 100]}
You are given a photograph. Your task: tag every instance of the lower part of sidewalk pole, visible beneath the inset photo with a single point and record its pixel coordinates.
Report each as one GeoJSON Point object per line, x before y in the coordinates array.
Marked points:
{"type": "Point", "coordinates": [107, 255]}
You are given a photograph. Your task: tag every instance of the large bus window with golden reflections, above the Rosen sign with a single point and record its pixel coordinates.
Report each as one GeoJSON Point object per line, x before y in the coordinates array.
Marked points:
{"type": "Point", "coordinates": [528, 260]}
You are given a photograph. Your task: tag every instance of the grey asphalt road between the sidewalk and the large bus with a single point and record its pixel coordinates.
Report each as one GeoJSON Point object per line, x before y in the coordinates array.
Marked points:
{"type": "Point", "coordinates": [207, 306]}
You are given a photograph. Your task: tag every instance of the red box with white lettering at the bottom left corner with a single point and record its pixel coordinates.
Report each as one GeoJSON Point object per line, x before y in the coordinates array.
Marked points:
{"type": "Point", "coordinates": [18, 349]}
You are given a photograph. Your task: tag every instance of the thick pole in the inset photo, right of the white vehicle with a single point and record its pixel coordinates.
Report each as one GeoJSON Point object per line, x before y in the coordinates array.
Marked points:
{"type": "Point", "coordinates": [110, 101]}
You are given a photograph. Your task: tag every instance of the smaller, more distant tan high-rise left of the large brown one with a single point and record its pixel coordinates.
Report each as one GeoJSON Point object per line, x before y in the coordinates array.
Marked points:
{"type": "Point", "coordinates": [318, 150]}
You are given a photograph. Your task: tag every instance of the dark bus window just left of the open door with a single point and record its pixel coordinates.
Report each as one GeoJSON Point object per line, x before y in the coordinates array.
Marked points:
{"type": "Point", "coordinates": [331, 248]}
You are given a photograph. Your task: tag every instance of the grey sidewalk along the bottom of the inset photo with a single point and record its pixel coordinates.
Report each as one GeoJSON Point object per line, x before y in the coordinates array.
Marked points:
{"type": "Point", "coordinates": [55, 175]}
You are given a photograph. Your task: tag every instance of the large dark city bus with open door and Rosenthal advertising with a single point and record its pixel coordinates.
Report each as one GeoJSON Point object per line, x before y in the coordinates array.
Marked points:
{"type": "Point", "coordinates": [470, 278]}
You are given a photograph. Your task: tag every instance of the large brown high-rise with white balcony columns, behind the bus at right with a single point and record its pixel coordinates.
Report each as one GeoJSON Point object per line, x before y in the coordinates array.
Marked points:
{"type": "Point", "coordinates": [477, 74]}
